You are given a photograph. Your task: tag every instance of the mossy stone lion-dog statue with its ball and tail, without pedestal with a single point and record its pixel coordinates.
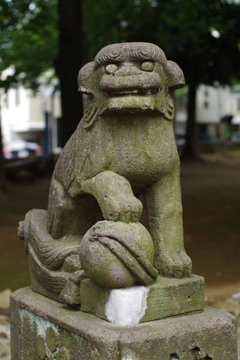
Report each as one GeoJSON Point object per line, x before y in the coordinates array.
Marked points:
{"type": "Point", "coordinates": [121, 158]}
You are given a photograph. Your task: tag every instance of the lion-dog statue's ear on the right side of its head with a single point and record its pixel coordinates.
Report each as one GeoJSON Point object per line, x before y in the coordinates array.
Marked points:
{"type": "Point", "coordinates": [174, 76]}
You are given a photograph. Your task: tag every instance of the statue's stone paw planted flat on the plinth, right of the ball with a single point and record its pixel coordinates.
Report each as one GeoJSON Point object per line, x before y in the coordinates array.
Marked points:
{"type": "Point", "coordinates": [175, 264]}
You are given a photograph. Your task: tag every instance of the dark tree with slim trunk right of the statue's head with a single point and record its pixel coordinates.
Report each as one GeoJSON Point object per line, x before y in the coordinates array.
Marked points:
{"type": "Point", "coordinates": [208, 51]}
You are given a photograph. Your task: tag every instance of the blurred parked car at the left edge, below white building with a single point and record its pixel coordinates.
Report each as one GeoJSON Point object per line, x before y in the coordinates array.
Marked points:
{"type": "Point", "coordinates": [21, 149]}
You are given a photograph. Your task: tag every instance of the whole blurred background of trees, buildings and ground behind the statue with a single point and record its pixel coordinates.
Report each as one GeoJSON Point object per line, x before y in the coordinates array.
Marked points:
{"type": "Point", "coordinates": [43, 45]}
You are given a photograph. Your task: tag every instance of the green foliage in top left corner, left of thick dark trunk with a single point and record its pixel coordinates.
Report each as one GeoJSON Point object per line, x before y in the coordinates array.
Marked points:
{"type": "Point", "coordinates": [28, 39]}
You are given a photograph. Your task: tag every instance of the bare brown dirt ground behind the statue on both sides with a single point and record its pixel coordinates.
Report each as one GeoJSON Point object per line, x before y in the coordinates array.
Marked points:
{"type": "Point", "coordinates": [211, 203]}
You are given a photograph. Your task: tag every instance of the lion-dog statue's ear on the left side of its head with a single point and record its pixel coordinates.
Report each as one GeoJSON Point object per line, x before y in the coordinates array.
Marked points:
{"type": "Point", "coordinates": [85, 79]}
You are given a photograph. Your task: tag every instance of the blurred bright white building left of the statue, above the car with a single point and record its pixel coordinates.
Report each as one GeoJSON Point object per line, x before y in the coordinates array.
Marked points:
{"type": "Point", "coordinates": [31, 117]}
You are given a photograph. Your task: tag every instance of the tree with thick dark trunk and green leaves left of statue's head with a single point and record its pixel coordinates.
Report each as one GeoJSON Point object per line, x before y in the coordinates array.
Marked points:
{"type": "Point", "coordinates": [40, 34]}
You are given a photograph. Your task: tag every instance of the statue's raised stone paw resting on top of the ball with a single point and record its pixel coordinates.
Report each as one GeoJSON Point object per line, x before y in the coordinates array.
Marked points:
{"type": "Point", "coordinates": [125, 208]}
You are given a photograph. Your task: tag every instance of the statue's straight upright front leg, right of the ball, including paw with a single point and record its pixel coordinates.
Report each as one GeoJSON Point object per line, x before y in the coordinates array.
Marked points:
{"type": "Point", "coordinates": [164, 208]}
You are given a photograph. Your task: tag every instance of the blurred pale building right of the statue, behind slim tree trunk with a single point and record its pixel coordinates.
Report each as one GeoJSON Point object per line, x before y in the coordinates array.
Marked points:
{"type": "Point", "coordinates": [218, 111]}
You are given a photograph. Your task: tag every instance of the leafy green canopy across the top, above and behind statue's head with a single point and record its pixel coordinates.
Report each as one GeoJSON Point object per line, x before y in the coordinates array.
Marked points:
{"type": "Point", "coordinates": [202, 36]}
